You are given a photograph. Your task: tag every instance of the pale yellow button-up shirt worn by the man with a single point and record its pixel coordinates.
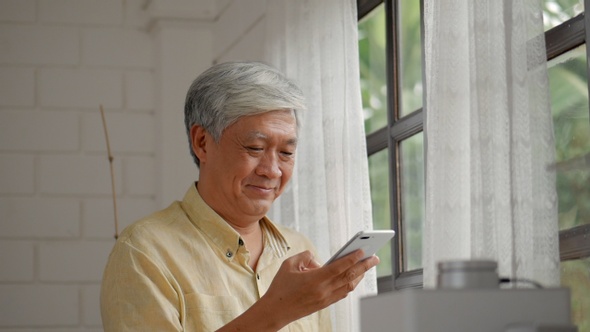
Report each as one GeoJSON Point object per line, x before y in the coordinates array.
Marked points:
{"type": "Point", "coordinates": [185, 269]}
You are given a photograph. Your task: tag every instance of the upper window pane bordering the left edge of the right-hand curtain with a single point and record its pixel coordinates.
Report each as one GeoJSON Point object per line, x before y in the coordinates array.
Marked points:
{"type": "Point", "coordinates": [410, 55]}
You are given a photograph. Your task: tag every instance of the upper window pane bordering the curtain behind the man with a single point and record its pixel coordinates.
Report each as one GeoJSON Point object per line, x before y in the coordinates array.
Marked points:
{"type": "Point", "coordinates": [372, 69]}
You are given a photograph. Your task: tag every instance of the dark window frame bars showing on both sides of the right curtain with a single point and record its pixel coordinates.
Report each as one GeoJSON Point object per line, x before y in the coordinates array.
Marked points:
{"type": "Point", "coordinates": [573, 243]}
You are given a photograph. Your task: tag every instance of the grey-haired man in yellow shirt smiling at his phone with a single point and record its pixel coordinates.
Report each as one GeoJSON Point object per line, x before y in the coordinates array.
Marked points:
{"type": "Point", "coordinates": [214, 261]}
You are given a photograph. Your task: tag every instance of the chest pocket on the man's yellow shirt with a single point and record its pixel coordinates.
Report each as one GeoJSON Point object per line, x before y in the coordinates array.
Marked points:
{"type": "Point", "coordinates": [208, 312]}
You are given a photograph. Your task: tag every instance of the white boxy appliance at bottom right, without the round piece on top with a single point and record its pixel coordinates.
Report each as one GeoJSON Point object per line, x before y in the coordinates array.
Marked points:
{"type": "Point", "coordinates": [468, 310]}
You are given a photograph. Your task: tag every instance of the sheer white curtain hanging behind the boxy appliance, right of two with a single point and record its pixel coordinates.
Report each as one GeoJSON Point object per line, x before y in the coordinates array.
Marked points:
{"type": "Point", "coordinates": [489, 139]}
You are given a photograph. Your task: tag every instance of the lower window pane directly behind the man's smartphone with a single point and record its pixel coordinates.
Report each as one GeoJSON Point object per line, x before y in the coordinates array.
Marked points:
{"type": "Point", "coordinates": [379, 177]}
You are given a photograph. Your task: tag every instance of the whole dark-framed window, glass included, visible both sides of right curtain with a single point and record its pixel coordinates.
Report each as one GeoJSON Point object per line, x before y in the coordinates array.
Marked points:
{"type": "Point", "coordinates": [391, 49]}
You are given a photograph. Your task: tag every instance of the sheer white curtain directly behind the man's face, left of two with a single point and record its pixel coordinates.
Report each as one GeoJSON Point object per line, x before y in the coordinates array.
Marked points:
{"type": "Point", "coordinates": [315, 43]}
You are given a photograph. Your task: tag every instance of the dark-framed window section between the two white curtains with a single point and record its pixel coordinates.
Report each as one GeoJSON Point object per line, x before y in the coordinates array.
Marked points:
{"type": "Point", "coordinates": [391, 83]}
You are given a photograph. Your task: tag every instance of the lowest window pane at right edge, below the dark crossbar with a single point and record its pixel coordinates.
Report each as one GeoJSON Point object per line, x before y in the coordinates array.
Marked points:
{"type": "Point", "coordinates": [576, 276]}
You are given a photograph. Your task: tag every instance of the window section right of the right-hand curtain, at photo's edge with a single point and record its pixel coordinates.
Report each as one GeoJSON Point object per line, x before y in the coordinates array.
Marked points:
{"type": "Point", "coordinates": [568, 79]}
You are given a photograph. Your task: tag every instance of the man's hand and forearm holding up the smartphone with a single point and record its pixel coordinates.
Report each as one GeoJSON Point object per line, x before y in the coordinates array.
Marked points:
{"type": "Point", "coordinates": [302, 287]}
